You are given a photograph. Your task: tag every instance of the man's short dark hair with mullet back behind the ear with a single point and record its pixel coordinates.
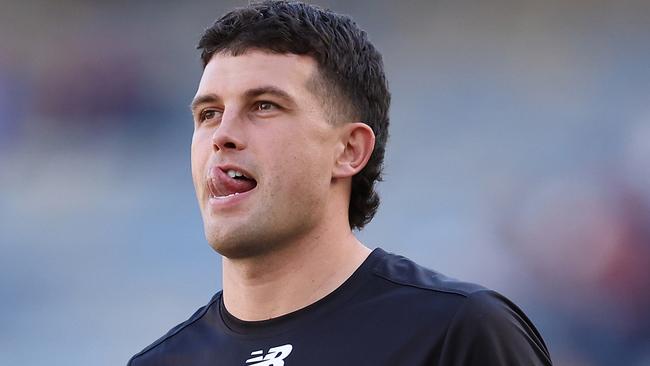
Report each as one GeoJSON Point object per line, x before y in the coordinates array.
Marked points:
{"type": "Point", "coordinates": [351, 73]}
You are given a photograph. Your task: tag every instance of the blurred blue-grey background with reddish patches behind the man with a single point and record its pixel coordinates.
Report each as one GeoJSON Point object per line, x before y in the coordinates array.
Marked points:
{"type": "Point", "coordinates": [519, 158]}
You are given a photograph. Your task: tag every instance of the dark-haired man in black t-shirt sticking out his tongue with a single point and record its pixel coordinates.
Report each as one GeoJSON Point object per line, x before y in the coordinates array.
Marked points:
{"type": "Point", "coordinates": [291, 118]}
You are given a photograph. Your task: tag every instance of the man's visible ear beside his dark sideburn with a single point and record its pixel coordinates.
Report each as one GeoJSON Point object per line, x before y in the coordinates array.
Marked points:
{"type": "Point", "coordinates": [356, 144]}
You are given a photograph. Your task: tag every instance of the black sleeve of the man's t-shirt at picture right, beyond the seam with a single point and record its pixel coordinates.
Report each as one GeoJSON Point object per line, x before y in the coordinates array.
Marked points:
{"type": "Point", "coordinates": [489, 330]}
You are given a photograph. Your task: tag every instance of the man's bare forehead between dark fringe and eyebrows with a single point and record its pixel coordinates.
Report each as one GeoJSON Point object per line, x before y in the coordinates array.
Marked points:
{"type": "Point", "coordinates": [228, 75]}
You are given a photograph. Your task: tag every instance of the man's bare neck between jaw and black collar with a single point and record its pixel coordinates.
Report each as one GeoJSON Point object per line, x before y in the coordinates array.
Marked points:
{"type": "Point", "coordinates": [291, 278]}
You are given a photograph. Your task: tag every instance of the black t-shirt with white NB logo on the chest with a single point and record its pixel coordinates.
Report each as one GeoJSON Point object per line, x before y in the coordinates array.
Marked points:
{"type": "Point", "coordinates": [390, 312]}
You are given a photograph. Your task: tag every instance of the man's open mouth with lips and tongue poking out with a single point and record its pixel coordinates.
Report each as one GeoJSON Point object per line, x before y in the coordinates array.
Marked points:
{"type": "Point", "coordinates": [221, 184]}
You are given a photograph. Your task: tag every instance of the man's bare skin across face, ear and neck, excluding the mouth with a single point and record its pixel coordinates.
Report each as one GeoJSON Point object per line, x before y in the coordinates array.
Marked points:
{"type": "Point", "coordinates": [287, 243]}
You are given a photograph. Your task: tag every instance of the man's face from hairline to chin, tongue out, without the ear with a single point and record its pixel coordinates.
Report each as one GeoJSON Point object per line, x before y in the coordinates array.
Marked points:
{"type": "Point", "coordinates": [254, 115]}
